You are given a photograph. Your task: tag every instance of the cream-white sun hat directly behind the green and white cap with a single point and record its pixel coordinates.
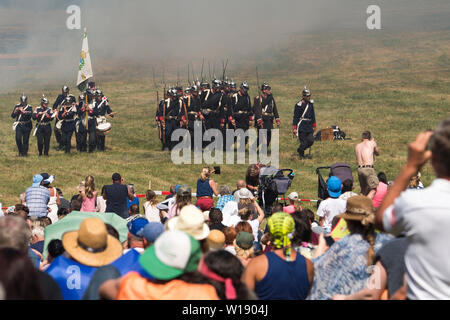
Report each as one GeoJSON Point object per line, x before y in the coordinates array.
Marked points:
{"type": "Point", "coordinates": [190, 220]}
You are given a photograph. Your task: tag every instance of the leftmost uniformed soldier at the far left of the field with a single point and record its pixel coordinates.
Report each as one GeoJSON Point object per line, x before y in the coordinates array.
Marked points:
{"type": "Point", "coordinates": [22, 113]}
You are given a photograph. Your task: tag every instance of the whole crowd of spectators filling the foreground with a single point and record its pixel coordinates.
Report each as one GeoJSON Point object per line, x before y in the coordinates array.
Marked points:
{"type": "Point", "coordinates": [387, 242]}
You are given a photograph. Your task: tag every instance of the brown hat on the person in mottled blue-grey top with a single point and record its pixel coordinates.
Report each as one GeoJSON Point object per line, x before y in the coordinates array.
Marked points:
{"type": "Point", "coordinates": [359, 208]}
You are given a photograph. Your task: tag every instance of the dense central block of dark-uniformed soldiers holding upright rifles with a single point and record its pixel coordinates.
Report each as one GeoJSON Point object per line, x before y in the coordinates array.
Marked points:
{"type": "Point", "coordinates": [220, 106]}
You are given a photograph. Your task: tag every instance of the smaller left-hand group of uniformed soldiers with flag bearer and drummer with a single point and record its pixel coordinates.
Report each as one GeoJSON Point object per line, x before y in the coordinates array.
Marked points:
{"type": "Point", "coordinates": [70, 118]}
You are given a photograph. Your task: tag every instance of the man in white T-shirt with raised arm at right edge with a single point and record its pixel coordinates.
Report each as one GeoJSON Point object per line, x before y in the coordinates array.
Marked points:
{"type": "Point", "coordinates": [423, 215]}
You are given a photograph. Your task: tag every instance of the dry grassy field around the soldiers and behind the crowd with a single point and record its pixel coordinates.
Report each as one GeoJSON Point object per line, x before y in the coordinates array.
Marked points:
{"type": "Point", "coordinates": [393, 84]}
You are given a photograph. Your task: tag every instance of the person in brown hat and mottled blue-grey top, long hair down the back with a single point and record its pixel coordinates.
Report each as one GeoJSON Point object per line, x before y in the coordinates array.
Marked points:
{"type": "Point", "coordinates": [347, 265]}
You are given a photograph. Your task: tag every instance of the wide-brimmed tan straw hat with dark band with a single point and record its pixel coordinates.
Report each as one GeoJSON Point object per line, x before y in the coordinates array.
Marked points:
{"type": "Point", "coordinates": [91, 244]}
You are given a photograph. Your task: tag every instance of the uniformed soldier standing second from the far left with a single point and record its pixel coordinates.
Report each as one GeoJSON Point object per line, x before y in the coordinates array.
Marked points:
{"type": "Point", "coordinates": [43, 117]}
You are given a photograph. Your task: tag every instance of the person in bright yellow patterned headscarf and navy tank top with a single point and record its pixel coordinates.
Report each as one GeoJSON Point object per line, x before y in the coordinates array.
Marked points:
{"type": "Point", "coordinates": [281, 274]}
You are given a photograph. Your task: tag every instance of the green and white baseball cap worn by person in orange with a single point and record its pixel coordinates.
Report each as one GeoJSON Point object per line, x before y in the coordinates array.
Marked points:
{"type": "Point", "coordinates": [173, 254]}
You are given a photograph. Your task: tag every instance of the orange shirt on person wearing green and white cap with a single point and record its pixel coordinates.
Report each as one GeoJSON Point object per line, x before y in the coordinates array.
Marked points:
{"type": "Point", "coordinates": [135, 287]}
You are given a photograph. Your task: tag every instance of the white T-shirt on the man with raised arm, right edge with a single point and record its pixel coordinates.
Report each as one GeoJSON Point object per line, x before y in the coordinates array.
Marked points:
{"type": "Point", "coordinates": [424, 217]}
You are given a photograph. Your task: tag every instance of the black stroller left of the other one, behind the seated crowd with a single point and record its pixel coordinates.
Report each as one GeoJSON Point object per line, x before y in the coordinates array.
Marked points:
{"type": "Point", "coordinates": [272, 183]}
